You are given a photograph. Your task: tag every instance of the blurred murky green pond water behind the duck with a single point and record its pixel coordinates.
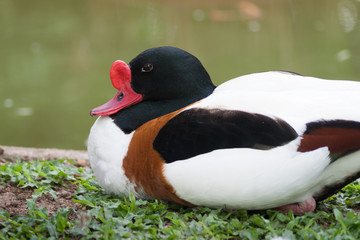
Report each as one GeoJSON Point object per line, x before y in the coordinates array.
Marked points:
{"type": "Point", "coordinates": [55, 56]}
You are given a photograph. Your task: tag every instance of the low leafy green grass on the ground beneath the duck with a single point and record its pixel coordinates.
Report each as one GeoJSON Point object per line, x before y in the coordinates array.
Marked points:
{"type": "Point", "coordinates": [104, 216]}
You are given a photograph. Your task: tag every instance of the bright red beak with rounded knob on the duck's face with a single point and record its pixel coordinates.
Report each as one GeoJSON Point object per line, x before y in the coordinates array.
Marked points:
{"type": "Point", "coordinates": [120, 75]}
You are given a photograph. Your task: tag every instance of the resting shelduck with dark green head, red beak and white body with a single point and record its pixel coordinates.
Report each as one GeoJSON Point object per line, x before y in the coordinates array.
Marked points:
{"type": "Point", "coordinates": [269, 140]}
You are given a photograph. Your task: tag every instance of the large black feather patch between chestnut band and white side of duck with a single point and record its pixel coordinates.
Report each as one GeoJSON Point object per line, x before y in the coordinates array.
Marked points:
{"type": "Point", "coordinates": [198, 131]}
